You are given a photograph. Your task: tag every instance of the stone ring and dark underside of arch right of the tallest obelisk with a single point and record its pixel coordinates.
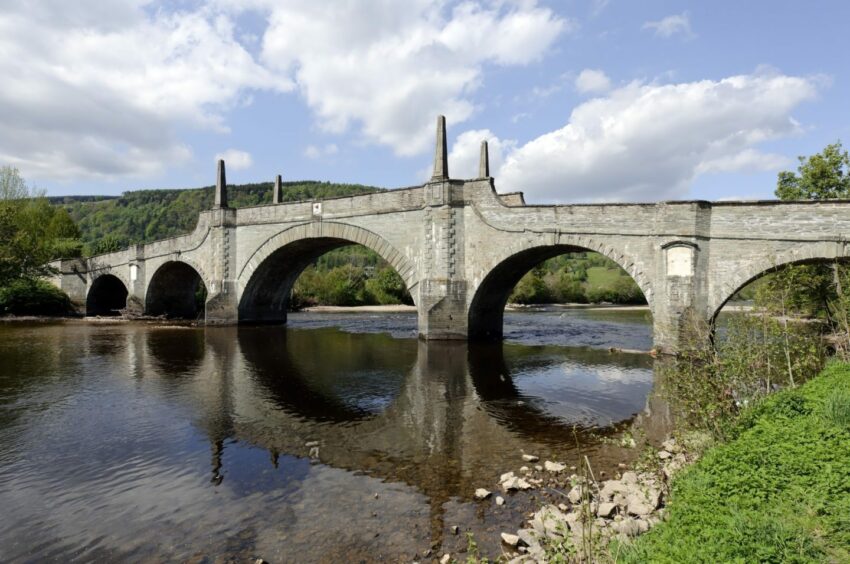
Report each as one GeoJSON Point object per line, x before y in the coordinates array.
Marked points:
{"type": "Point", "coordinates": [487, 306]}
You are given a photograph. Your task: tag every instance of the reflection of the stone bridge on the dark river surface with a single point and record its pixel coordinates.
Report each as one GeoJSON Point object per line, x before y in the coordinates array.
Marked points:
{"type": "Point", "coordinates": [443, 417]}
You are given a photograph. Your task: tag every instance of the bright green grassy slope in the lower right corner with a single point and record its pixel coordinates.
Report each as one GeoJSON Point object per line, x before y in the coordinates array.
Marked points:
{"type": "Point", "coordinates": [778, 492]}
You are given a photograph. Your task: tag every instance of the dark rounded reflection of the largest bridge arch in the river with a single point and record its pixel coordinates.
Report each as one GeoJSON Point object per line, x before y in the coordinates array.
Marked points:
{"type": "Point", "coordinates": [300, 370]}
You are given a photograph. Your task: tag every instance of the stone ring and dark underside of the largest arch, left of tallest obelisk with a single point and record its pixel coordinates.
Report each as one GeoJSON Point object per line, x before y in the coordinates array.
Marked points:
{"type": "Point", "coordinates": [269, 275]}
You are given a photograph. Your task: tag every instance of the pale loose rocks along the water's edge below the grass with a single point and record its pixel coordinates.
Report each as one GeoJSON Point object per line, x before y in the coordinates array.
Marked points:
{"type": "Point", "coordinates": [593, 511]}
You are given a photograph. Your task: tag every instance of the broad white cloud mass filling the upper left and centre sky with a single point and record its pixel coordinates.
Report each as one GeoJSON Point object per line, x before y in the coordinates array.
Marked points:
{"type": "Point", "coordinates": [103, 90]}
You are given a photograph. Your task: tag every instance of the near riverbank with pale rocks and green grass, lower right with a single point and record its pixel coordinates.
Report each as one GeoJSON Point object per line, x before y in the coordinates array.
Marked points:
{"type": "Point", "coordinates": [779, 491]}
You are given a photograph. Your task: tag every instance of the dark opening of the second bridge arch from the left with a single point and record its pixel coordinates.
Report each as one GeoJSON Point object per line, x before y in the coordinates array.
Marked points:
{"type": "Point", "coordinates": [176, 291]}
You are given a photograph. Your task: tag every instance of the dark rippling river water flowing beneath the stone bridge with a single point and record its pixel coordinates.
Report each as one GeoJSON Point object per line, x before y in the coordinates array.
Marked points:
{"type": "Point", "coordinates": [339, 438]}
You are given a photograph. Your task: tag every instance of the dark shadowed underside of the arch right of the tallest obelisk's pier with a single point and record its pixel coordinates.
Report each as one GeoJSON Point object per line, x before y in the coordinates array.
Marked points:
{"type": "Point", "coordinates": [487, 308]}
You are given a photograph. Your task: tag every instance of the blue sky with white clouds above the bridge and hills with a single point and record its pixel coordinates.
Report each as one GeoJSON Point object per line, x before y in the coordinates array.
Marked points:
{"type": "Point", "coordinates": [604, 100]}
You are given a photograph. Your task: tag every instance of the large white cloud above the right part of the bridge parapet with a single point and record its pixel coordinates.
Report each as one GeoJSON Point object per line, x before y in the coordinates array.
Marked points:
{"type": "Point", "coordinates": [647, 142]}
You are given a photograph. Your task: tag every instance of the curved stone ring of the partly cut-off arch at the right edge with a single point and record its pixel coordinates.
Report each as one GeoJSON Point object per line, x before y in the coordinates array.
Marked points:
{"type": "Point", "coordinates": [767, 265]}
